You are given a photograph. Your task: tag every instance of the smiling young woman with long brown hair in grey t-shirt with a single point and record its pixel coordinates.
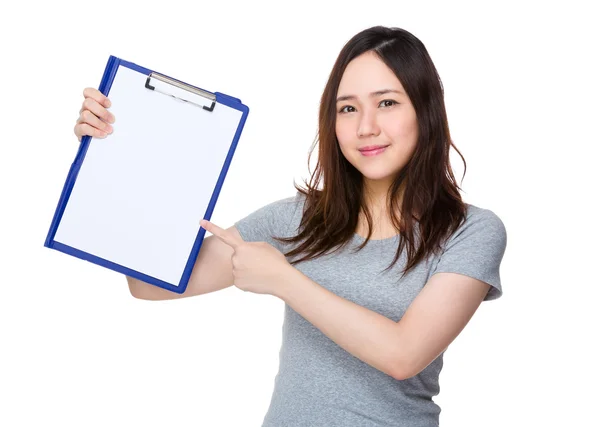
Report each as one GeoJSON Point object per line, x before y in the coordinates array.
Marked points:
{"type": "Point", "coordinates": [379, 261]}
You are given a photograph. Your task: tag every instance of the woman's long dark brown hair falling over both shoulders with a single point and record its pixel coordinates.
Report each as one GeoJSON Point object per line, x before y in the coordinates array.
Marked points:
{"type": "Point", "coordinates": [429, 192]}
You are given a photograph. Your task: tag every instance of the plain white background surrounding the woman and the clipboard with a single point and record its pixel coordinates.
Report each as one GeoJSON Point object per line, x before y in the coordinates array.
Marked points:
{"type": "Point", "coordinates": [521, 84]}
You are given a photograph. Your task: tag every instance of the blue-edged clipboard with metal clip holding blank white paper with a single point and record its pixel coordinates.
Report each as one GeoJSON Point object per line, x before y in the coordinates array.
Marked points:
{"type": "Point", "coordinates": [132, 201]}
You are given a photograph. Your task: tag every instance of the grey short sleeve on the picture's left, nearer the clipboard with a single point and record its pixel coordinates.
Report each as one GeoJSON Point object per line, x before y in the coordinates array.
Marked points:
{"type": "Point", "coordinates": [268, 221]}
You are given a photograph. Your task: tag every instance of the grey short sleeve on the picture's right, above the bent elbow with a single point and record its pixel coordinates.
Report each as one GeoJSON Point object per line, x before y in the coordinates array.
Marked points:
{"type": "Point", "coordinates": [476, 250]}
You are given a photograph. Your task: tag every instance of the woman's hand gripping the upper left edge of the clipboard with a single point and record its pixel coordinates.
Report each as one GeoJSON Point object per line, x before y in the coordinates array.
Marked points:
{"type": "Point", "coordinates": [94, 118]}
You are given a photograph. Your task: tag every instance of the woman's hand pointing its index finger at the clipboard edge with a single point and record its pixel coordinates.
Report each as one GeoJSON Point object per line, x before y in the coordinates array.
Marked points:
{"type": "Point", "coordinates": [257, 266]}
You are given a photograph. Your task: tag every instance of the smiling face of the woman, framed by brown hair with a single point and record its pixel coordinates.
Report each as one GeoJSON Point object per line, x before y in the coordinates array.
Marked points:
{"type": "Point", "coordinates": [373, 110]}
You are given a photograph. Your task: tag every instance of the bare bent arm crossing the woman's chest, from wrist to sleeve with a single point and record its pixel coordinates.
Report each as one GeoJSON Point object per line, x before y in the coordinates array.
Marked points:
{"type": "Point", "coordinates": [403, 349]}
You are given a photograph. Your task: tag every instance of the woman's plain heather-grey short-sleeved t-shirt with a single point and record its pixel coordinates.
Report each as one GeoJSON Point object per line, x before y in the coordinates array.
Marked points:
{"type": "Point", "coordinates": [319, 384]}
